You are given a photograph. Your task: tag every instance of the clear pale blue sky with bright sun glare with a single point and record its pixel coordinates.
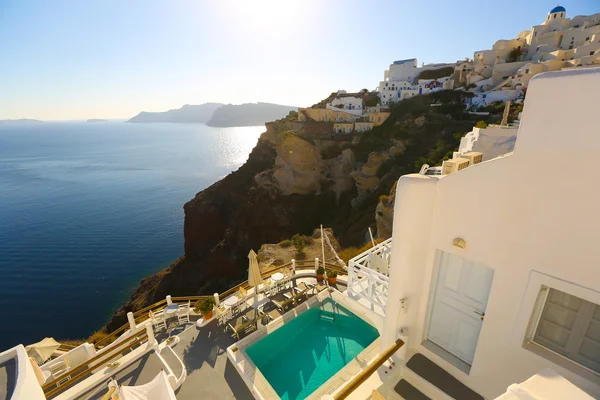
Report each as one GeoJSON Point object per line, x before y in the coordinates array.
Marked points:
{"type": "Point", "coordinates": [111, 59]}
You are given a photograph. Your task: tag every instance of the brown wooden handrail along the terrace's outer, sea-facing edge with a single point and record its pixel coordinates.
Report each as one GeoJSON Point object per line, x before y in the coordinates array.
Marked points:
{"type": "Point", "coordinates": [142, 314]}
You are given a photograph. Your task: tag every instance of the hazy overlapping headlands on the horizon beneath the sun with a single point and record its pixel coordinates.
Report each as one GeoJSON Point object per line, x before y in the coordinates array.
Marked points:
{"type": "Point", "coordinates": [218, 115]}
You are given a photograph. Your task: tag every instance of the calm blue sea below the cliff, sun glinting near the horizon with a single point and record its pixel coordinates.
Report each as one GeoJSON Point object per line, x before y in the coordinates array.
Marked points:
{"type": "Point", "coordinates": [89, 209]}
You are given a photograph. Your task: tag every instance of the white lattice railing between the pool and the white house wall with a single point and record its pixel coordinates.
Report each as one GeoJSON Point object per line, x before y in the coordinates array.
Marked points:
{"type": "Point", "coordinates": [367, 285]}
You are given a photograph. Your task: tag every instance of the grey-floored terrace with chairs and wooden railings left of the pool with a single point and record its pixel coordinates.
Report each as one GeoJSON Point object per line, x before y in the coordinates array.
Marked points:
{"type": "Point", "coordinates": [195, 363]}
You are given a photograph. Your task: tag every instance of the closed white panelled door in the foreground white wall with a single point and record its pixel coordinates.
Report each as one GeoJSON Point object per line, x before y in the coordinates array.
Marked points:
{"type": "Point", "coordinates": [458, 310]}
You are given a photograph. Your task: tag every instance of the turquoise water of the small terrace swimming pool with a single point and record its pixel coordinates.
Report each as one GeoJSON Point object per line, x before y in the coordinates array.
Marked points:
{"type": "Point", "coordinates": [304, 353]}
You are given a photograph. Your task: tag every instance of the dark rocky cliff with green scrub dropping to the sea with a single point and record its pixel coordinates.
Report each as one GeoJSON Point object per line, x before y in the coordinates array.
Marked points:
{"type": "Point", "coordinates": [298, 177]}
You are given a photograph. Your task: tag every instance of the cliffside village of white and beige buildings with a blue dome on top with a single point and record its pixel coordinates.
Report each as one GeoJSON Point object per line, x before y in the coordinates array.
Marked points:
{"type": "Point", "coordinates": [497, 75]}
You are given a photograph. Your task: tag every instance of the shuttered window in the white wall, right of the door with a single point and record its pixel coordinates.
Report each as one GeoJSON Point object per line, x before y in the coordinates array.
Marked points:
{"type": "Point", "coordinates": [570, 326]}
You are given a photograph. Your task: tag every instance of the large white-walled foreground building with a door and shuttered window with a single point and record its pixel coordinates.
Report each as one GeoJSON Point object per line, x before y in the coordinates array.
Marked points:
{"type": "Point", "coordinates": [492, 271]}
